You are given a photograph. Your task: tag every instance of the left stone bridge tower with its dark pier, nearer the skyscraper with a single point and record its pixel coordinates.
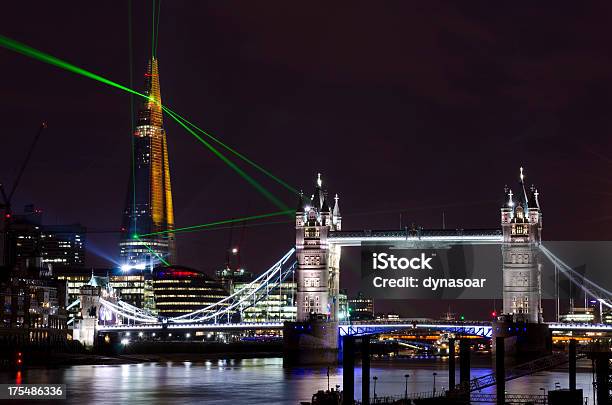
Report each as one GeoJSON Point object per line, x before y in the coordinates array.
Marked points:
{"type": "Point", "coordinates": [314, 337]}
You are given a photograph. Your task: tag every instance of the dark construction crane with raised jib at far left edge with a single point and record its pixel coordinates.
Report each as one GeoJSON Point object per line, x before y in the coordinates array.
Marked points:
{"type": "Point", "coordinates": [8, 256]}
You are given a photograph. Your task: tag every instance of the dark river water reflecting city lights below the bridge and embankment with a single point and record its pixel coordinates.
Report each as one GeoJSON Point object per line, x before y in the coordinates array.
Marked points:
{"type": "Point", "coordinates": [256, 381]}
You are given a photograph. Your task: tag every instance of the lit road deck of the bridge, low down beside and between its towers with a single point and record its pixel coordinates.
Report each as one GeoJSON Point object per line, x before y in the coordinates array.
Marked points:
{"type": "Point", "coordinates": [482, 329]}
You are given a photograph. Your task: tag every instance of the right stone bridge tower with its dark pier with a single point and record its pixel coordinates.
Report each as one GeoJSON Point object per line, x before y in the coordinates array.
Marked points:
{"type": "Point", "coordinates": [522, 317]}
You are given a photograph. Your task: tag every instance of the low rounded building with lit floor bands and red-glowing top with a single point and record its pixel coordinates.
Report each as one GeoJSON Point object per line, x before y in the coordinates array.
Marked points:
{"type": "Point", "coordinates": [179, 290]}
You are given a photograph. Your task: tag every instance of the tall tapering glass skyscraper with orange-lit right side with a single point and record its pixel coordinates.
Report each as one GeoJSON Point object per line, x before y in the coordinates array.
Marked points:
{"type": "Point", "coordinates": [149, 199]}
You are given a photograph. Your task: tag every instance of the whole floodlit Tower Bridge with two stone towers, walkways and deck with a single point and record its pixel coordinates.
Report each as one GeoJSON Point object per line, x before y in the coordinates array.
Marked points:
{"type": "Point", "coordinates": [315, 264]}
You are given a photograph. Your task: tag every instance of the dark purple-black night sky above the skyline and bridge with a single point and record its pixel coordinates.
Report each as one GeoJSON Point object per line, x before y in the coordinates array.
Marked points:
{"type": "Point", "coordinates": [404, 107]}
